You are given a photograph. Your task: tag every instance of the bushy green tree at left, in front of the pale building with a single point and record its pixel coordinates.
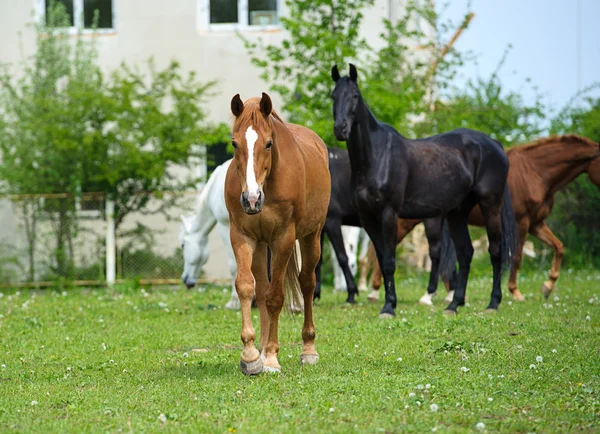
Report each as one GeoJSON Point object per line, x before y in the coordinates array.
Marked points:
{"type": "Point", "coordinates": [68, 128]}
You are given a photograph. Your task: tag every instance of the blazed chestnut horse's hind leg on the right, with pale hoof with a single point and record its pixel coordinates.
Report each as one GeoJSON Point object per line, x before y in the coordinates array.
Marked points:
{"type": "Point", "coordinates": [310, 249]}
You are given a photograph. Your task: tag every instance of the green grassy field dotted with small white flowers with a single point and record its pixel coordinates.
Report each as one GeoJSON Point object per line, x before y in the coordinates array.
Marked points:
{"type": "Point", "coordinates": [155, 360]}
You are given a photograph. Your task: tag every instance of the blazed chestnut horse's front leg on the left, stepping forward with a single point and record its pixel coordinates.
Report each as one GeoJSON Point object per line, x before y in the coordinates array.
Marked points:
{"type": "Point", "coordinates": [243, 249]}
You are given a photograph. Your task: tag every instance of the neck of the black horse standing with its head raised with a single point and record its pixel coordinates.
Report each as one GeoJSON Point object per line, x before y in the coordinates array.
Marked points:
{"type": "Point", "coordinates": [360, 147]}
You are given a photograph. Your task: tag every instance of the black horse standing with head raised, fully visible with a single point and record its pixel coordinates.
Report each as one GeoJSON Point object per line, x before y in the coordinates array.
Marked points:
{"type": "Point", "coordinates": [444, 175]}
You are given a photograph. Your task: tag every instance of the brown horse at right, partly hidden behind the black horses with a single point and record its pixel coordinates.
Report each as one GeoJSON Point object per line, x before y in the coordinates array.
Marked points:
{"type": "Point", "coordinates": [537, 171]}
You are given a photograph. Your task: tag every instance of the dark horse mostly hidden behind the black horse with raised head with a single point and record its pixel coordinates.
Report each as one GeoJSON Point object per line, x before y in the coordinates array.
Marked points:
{"type": "Point", "coordinates": [343, 211]}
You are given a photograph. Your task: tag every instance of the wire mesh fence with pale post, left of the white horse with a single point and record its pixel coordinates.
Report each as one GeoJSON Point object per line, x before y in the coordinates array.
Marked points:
{"type": "Point", "coordinates": [49, 239]}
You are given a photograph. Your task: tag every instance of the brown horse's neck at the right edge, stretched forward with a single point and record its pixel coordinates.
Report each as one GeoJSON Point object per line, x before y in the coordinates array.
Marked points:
{"type": "Point", "coordinates": [560, 164]}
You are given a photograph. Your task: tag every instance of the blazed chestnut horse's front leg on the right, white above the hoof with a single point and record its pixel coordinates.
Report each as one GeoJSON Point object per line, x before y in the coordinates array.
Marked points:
{"type": "Point", "coordinates": [281, 251]}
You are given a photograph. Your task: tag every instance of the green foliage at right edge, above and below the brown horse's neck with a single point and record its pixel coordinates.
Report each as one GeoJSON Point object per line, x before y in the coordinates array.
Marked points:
{"type": "Point", "coordinates": [575, 217]}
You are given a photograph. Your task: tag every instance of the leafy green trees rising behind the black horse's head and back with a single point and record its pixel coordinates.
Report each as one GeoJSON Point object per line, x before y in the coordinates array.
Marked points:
{"type": "Point", "coordinates": [407, 82]}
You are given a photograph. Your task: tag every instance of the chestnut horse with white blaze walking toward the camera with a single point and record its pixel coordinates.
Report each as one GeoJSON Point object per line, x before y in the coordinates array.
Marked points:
{"type": "Point", "coordinates": [276, 191]}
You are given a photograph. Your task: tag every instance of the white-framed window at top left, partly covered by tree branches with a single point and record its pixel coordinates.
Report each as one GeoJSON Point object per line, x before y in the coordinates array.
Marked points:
{"type": "Point", "coordinates": [82, 13]}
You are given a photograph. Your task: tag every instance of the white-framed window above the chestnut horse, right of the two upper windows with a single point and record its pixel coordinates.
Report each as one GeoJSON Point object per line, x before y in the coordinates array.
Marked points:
{"type": "Point", "coordinates": [239, 14]}
